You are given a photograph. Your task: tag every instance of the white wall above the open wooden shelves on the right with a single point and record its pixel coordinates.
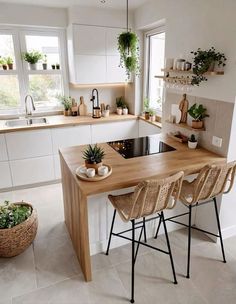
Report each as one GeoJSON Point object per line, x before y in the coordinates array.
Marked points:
{"type": "Point", "coordinates": [191, 24]}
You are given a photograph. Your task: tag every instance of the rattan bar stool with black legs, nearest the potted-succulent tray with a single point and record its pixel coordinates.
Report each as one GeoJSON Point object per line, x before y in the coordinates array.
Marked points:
{"type": "Point", "coordinates": [149, 197]}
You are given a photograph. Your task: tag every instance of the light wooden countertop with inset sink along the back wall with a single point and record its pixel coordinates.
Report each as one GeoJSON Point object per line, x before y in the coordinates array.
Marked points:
{"type": "Point", "coordinates": [57, 121]}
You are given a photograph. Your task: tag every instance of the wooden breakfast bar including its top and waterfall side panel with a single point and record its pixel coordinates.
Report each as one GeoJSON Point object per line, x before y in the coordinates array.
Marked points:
{"type": "Point", "coordinates": [125, 173]}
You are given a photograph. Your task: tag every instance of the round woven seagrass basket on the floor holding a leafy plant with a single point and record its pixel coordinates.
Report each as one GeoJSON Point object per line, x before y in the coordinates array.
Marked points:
{"type": "Point", "coordinates": [15, 240]}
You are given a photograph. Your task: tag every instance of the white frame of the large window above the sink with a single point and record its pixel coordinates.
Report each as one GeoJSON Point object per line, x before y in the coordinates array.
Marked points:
{"type": "Point", "coordinates": [19, 41]}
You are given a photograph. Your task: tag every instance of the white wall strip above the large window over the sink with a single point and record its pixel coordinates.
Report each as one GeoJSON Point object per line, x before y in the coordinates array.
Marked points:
{"type": "Point", "coordinates": [15, 14]}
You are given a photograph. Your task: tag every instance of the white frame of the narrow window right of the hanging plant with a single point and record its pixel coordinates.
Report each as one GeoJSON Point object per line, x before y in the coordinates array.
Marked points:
{"type": "Point", "coordinates": [147, 53]}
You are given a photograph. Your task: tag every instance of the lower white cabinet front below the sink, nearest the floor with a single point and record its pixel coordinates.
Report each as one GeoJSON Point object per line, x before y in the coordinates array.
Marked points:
{"type": "Point", "coordinates": [32, 170]}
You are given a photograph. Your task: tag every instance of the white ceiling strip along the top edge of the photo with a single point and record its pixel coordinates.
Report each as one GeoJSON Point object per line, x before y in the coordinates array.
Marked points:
{"type": "Point", "coordinates": [115, 4]}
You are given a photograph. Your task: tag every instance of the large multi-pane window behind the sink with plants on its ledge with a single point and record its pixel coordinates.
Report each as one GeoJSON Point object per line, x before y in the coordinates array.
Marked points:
{"type": "Point", "coordinates": [45, 83]}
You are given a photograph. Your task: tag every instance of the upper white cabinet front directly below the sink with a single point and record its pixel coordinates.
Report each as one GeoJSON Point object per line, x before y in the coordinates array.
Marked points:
{"type": "Point", "coordinates": [22, 145]}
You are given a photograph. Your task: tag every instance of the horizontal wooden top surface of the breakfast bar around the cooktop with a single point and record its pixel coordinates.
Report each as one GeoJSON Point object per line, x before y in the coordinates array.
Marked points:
{"type": "Point", "coordinates": [129, 172]}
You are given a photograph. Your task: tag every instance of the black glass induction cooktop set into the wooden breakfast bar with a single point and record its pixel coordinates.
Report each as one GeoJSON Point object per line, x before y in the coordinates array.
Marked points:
{"type": "Point", "coordinates": [142, 146]}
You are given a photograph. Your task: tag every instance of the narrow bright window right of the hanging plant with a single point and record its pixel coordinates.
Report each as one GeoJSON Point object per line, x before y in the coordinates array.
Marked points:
{"type": "Point", "coordinates": [154, 62]}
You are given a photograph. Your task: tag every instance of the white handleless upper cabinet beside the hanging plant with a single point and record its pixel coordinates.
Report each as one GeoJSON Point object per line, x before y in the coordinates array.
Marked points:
{"type": "Point", "coordinates": [93, 55]}
